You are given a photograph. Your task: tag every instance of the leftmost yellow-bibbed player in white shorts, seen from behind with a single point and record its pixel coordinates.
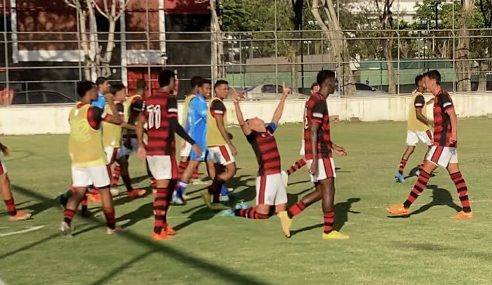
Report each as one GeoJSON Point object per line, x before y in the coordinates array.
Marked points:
{"type": "Point", "coordinates": [87, 154]}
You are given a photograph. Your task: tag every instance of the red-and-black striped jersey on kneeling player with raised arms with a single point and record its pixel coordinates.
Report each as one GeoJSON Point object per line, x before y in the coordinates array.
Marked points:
{"type": "Point", "coordinates": [266, 150]}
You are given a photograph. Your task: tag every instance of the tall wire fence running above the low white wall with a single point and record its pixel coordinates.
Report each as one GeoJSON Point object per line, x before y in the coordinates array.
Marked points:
{"type": "Point", "coordinates": [42, 50]}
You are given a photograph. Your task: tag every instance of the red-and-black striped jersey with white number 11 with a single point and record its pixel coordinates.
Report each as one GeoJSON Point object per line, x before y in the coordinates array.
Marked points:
{"type": "Point", "coordinates": [158, 109]}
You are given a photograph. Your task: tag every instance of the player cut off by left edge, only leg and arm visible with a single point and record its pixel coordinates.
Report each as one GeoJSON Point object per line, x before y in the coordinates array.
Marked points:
{"type": "Point", "coordinates": [8, 198]}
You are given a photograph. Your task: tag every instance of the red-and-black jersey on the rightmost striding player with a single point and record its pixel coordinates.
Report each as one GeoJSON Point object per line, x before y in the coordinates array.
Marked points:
{"type": "Point", "coordinates": [442, 122]}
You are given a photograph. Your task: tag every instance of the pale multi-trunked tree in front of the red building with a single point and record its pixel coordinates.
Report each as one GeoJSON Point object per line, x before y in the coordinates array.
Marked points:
{"type": "Point", "coordinates": [97, 59]}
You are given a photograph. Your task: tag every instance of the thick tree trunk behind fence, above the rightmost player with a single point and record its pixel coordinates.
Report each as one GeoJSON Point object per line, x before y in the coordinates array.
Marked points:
{"type": "Point", "coordinates": [463, 66]}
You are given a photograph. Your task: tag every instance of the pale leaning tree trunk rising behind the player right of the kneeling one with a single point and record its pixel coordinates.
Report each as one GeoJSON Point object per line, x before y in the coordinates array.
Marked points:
{"type": "Point", "coordinates": [333, 32]}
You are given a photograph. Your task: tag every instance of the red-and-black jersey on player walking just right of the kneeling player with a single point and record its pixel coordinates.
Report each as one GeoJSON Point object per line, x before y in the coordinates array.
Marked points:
{"type": "Point", "coordinates": [316, 111]}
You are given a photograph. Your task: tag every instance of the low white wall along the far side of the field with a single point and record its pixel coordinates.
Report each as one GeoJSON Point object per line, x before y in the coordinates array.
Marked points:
{"type": "Point", "coordinates": [26, 120]}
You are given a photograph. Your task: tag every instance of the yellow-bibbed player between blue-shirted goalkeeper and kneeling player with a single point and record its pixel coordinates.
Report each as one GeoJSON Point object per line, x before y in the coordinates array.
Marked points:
{"type": "Point", "coordinates": [220, 147]}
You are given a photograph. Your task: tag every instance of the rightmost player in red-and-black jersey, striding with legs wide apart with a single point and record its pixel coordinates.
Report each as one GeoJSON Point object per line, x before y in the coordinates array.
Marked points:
{"type": "Point", "coordinates": [442, 153]}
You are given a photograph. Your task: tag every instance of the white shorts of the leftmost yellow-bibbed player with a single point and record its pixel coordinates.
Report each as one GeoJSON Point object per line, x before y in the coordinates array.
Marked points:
{"type": "Point", "coordinates": [86, 176]}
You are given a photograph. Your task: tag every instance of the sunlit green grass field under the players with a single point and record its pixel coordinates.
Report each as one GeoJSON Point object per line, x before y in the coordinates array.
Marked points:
{"type": "Point", "coordinates": [427, 248]}
